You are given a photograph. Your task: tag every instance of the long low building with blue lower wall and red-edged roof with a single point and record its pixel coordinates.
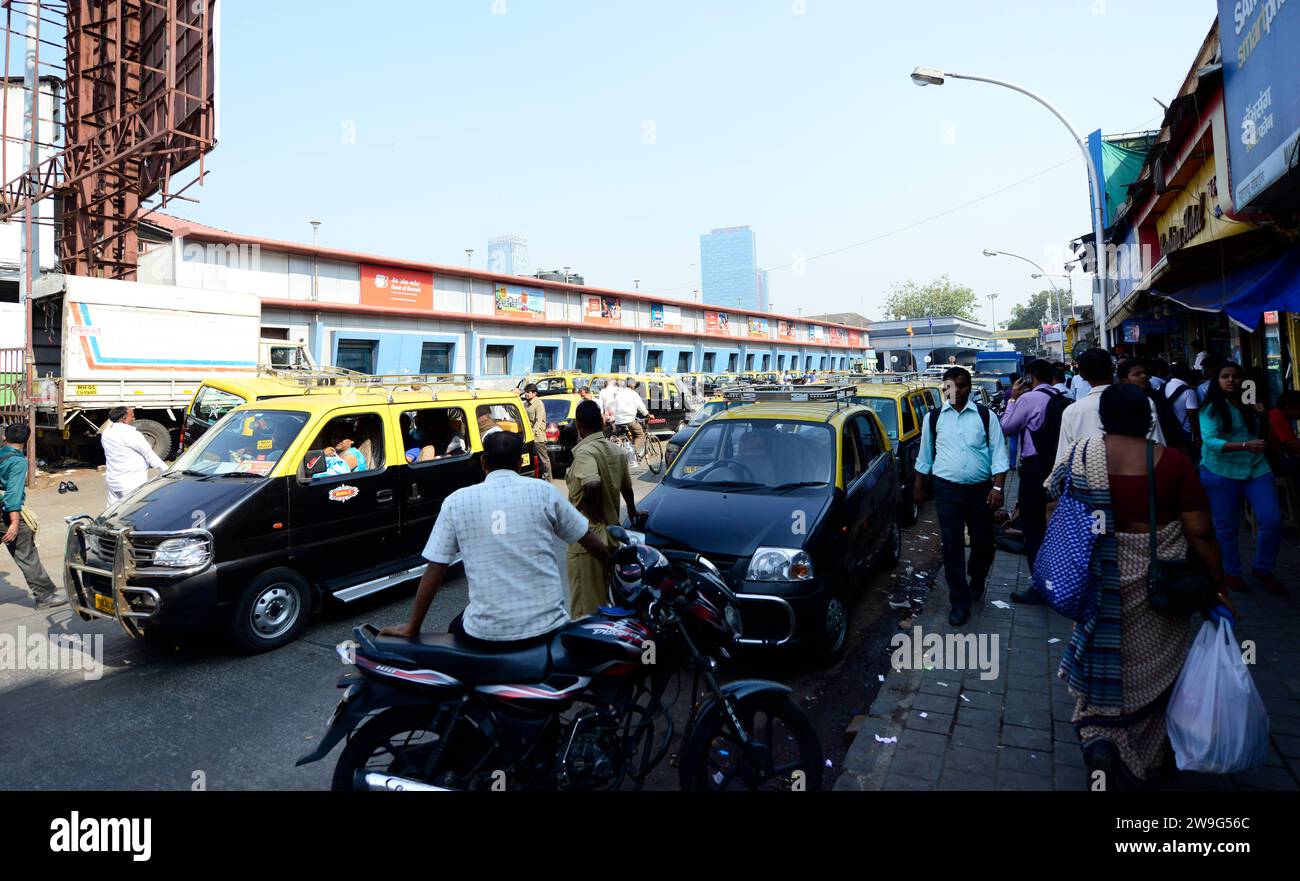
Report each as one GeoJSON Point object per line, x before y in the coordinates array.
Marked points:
{"type": "Point", "coordinates": [380, 315]}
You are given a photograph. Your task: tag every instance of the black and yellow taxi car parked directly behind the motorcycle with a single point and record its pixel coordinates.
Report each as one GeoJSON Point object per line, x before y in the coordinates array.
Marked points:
{"type": "Point", "coordinates": [794, 496]}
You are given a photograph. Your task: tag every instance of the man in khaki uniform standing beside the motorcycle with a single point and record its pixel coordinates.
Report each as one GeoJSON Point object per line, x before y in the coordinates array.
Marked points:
{"type": "Point", "coordinates": [597, 478]}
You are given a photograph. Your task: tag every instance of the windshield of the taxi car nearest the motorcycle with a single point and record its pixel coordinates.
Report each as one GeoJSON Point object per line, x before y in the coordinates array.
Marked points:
{"type": "Point", "coordinates": [756, 454]}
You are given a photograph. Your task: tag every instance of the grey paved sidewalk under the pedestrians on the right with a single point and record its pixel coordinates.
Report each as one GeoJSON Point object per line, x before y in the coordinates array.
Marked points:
{"type": "Point", "coordinates": [957, 731]}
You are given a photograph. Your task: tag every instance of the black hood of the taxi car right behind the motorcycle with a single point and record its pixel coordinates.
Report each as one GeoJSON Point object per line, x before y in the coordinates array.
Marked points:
{"type": "Point", "coordinates": [731, 524]}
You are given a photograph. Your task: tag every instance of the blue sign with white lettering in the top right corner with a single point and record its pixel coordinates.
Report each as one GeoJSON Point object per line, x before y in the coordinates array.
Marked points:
{"type": "Point", "coordinates": [1262, 93]}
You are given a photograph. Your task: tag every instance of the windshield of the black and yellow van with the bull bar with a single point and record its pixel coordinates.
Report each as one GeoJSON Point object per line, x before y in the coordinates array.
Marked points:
{"type": "Point", "coordinates": [245, 442]}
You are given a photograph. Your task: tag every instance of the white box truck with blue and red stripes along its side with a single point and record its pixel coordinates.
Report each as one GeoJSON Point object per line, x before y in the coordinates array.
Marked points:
{"type": "Point", "coordinates": [101, 344]}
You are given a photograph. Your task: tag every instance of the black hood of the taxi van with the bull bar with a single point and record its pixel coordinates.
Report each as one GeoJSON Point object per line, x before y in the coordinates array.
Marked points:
{"type": "Point", "coordinates": [170, 504]}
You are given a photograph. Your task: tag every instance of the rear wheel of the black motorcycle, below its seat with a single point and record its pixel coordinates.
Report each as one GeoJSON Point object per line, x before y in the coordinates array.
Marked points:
{"type": "Point", "coordinates": [402, 743]}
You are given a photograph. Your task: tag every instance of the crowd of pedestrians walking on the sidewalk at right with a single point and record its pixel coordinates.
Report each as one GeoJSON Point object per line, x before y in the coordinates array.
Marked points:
{"type": "Point", "coordinates": [1146, 446]}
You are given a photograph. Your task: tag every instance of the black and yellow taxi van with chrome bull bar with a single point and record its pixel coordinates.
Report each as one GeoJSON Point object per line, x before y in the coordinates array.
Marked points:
{"type": "Point", "coordinates": [284, 505]}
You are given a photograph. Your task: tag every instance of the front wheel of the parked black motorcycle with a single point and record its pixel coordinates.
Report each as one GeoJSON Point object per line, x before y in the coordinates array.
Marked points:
{"type": "Point", "coordinates": [785, 753]}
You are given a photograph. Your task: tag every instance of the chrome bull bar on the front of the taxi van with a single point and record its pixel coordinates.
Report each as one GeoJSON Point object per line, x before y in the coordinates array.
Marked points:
{"type": "Point", "coordinates": [133, 557]}
